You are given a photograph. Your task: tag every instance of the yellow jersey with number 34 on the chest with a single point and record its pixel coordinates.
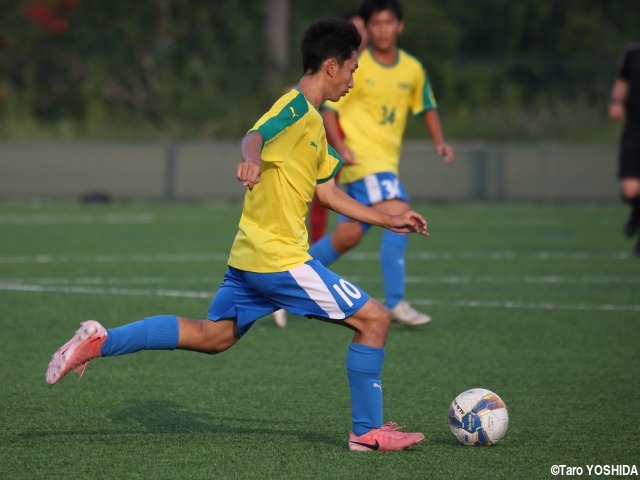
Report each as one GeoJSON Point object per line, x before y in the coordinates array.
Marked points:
{"type": "Point", "coordinates": [373, 115]}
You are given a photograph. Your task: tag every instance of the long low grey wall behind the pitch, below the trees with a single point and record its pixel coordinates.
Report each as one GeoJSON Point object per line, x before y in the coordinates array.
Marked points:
{"type": "Point", "coordinates": [206, 172]}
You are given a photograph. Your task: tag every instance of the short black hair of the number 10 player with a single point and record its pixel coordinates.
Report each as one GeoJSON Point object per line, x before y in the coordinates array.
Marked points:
{"type": "Point", "coordinates": [328, 38]}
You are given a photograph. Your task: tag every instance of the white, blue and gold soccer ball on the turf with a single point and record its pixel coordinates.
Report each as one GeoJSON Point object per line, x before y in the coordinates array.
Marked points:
{"type": "Point", "coordinates": [478, 417]}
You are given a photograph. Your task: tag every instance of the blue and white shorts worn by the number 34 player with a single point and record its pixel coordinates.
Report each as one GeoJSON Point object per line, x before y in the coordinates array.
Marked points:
{"type": "Point", "coordinates": [373, 189]}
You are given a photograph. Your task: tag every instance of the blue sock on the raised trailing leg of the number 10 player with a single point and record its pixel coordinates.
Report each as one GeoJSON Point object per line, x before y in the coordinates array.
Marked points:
{"type": "Point", "coordinates": [153, 333]}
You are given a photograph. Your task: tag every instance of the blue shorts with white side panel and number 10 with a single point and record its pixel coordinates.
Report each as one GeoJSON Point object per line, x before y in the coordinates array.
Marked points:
{"type": "Point", "coordinates": [310, 290]}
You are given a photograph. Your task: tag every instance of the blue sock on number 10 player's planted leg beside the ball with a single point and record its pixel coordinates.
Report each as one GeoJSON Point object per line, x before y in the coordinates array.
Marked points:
{"type": "Point", "coordinates": [364, 365]}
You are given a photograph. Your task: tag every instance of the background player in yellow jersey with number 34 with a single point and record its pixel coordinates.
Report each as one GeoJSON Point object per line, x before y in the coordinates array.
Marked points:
{"type": "Point", "coordinates": [389, 84]}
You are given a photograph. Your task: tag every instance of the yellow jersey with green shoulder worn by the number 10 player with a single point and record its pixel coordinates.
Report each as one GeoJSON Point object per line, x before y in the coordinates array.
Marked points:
{"type": "Point", "coordinates": [295, 157]}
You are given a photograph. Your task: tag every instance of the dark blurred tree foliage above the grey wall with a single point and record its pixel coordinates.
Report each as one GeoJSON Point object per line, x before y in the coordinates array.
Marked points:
{"type": "Point", "coordinates": [199, 69]}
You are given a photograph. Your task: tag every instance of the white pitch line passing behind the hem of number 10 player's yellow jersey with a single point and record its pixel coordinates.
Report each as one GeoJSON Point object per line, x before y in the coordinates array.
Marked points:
{"type": "Point", "coordinates": [352, 256]}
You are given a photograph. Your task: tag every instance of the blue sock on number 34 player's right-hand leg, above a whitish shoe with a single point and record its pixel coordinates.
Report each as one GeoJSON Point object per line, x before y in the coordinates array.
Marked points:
{"type": "Point", "coordinates": [392, 262]}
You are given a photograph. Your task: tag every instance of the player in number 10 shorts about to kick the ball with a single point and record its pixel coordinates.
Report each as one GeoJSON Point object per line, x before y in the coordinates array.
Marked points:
{"type": "Point", "coordinates": [286, 158]}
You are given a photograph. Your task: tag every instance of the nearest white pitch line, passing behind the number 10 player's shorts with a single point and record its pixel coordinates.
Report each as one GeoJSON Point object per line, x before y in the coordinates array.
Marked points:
{"type": "Point", "coordinates": [74, 290]}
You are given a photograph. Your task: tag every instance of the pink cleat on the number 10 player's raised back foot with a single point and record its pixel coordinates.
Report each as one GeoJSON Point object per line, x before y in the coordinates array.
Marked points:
{"type": "Point", "coordinates": [74, 355]}
